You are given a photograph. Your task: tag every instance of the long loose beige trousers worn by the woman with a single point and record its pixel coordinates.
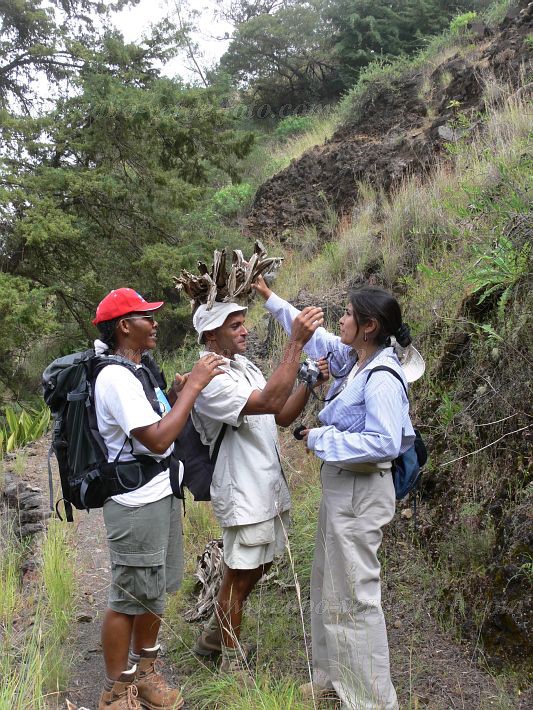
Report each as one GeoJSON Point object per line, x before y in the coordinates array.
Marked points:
{"type": "Point", "coordinates": [350, 649]}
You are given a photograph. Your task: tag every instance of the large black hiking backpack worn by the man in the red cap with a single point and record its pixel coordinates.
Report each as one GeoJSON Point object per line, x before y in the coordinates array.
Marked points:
{"type": "Point", "coordinates": [87, 478]}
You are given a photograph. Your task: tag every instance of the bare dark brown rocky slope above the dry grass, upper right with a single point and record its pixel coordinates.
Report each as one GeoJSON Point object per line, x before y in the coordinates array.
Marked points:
{"type": "Point", "coordinates": [398, 128]}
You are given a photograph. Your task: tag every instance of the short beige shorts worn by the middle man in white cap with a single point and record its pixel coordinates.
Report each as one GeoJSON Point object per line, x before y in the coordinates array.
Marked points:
{"type": "Point", "coordinates": [250, 546]}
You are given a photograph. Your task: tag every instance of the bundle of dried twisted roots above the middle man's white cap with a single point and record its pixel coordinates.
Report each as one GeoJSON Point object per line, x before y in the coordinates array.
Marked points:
{"type": "Point", "coordinates": [217, 284]}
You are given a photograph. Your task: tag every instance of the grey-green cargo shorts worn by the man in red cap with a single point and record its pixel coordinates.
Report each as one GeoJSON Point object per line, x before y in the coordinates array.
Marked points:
{"type": "Point", "coordinates": [146, 549]}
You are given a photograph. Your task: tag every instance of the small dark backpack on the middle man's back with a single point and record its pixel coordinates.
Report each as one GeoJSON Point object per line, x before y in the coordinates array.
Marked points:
{"type": "Point", "coordinates": [198, 464]}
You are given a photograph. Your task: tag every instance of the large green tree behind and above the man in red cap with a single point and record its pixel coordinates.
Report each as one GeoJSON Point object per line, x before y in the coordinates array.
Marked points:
{"type": "Point", "coordinates": [88, 188]}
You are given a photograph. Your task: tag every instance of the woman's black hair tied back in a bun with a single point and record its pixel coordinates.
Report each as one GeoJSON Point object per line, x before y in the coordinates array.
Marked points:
{"type": "Point", "coordinates": [373, 302]}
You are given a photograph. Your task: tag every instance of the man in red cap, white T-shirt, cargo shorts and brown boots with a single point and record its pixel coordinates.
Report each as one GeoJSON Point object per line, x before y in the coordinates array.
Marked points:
{"type": "Point", "coordinates": [144, 525]}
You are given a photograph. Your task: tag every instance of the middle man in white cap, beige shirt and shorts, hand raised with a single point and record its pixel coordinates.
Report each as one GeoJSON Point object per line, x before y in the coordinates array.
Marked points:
{"type": "Point", "coordinates": [249, 492]}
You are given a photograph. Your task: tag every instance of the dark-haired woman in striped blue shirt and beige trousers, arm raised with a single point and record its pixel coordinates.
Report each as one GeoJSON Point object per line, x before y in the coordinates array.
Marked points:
{"type": "Point", "coordinates": [364, 425]}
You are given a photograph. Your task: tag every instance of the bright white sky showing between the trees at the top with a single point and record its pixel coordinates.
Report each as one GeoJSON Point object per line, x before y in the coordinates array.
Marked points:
{"type": "Point", "coordinates": [134, 21]}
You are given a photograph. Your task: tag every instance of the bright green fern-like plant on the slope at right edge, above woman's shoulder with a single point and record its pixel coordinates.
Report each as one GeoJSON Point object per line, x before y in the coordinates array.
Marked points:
{"type": "Point", "coordinates": [499, 271]}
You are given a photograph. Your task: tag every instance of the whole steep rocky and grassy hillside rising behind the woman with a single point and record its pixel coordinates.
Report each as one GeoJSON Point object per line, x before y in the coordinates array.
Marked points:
{"type": "Point", "coordinates": [473, 406]}
